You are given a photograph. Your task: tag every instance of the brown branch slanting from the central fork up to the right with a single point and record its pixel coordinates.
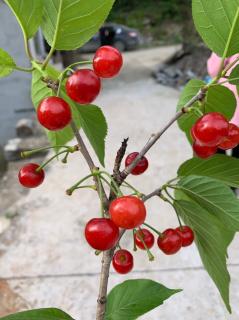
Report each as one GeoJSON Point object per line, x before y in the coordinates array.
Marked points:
{"type": "Point", "coordinates": [198, 97]}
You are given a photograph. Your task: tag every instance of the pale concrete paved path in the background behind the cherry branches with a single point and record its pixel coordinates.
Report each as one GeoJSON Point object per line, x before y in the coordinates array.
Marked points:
{"type": "Point", "coordinates": [43, 255]}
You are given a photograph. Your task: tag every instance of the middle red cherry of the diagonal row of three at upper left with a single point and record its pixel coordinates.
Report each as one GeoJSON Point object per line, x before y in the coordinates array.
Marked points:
{"type": "Point", "coordinates": [83, 86]}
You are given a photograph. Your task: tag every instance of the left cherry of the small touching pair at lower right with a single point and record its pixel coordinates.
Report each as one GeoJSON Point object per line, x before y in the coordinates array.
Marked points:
{"type": "Point", "coordinates": [170, 242]}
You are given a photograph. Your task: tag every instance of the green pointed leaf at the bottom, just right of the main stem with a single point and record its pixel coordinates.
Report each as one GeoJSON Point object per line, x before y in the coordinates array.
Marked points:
{"type": "Point", "coordinates": [133, 298]}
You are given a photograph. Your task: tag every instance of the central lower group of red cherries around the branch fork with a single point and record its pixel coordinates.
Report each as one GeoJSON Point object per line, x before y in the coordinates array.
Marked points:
{"type": "Point", "coordinates": [129, 212]}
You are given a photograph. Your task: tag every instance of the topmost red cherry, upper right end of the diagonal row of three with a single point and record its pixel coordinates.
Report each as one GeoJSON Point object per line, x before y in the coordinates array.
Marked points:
{"type": "Point", "coordinates": [107, 62]}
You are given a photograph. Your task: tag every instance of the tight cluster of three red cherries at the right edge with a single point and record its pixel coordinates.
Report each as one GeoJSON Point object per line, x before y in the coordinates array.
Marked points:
{"type": "Point", "coordinates": [213, 131]}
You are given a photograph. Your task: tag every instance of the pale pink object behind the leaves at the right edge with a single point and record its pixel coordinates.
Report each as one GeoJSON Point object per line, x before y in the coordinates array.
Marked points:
{"type": "Point", "coordinates": [213, 65]}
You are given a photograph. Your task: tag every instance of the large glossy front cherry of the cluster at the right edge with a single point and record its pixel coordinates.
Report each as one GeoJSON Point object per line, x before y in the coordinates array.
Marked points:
{"type": "Point", "coordinates": [211, 129]}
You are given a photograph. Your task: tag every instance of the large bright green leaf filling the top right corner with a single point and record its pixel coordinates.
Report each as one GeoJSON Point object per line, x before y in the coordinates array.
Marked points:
{"type": "Point", "coordinates": [218, 24]}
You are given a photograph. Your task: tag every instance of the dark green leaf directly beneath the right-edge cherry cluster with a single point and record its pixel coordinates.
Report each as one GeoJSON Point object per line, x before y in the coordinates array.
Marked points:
{"type": "Point", "coordinates": [220, 167]}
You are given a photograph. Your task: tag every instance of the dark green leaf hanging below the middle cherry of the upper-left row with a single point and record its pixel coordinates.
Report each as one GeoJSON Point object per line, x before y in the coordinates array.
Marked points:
{"type": "Point", "coordinates": [94, 124]}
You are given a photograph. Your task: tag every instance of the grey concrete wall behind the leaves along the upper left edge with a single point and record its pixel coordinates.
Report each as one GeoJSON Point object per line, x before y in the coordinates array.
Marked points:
{"type": "Point", "coordinates": [15, 89]}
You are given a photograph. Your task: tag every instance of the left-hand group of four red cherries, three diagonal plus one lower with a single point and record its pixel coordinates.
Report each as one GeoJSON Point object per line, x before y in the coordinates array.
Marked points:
{"type": "Point", "coordinates": [83, 86]}
